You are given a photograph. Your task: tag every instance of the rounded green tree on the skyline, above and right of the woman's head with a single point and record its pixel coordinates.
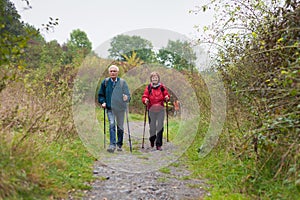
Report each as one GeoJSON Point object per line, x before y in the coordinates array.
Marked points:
{"type": "Point", "coordinates": [178, 55]}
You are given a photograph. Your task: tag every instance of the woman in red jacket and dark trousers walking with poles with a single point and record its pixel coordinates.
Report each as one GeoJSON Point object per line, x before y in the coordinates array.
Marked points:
{"type": "Point", "coordinates": [154, 96]}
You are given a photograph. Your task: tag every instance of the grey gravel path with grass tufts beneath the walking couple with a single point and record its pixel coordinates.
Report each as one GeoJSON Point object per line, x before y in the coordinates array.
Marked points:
{"type": "Point", "coordinates": [144, 174]}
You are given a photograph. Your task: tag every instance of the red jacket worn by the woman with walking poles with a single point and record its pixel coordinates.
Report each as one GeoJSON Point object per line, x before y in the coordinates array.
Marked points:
{"type": "Point", "coordinates": [156, 95]}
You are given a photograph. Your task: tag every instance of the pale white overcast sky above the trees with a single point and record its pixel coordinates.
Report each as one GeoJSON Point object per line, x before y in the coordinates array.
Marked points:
{"type": "Point", "coordinates": [101, 20]}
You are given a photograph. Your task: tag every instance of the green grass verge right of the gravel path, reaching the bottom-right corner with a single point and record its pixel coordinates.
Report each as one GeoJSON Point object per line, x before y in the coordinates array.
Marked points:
{"type": "Point", "coordinates": [233, 178]}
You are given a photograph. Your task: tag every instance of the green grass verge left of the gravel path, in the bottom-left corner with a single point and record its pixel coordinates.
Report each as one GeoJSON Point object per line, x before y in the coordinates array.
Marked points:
{"type": "Point", "coordinates": [53, 172]}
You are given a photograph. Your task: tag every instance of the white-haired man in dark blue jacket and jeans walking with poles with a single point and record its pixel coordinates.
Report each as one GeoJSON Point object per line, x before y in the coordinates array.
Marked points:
{"type": "Point", "coordinates": [113, 96]}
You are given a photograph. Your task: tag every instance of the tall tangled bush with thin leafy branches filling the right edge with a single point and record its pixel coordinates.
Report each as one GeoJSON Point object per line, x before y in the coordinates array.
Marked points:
{"type": "Point", "coordinates": [257, 53]}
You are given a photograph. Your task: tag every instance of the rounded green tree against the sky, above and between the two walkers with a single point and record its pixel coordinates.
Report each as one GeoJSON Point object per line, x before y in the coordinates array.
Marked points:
{"type": "Point", "coordinates": [123, 46]}
